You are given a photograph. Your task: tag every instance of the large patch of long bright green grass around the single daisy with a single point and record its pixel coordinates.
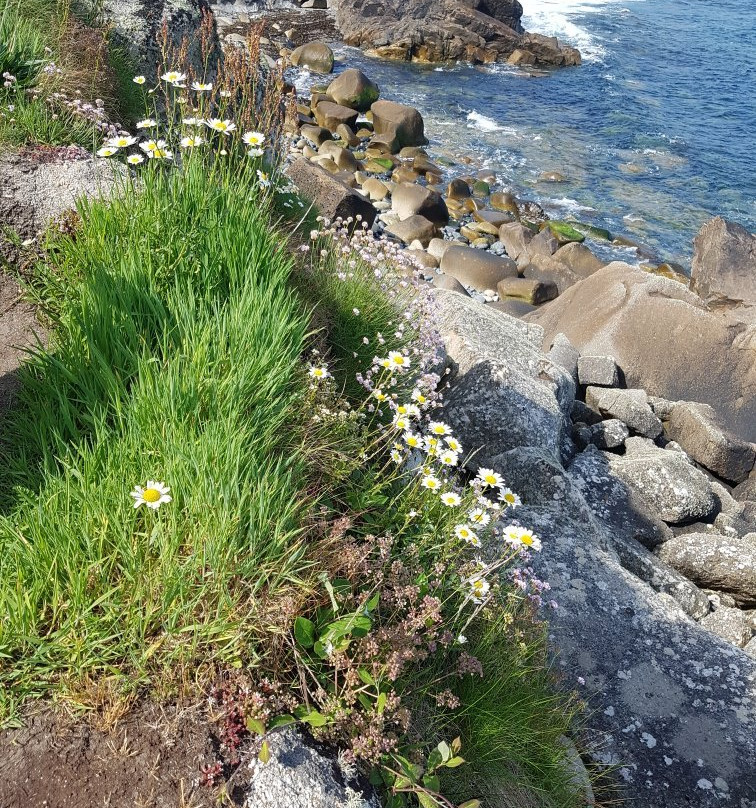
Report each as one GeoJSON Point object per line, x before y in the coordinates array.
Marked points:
{"type": "Point", "coordinates": [175, 357]}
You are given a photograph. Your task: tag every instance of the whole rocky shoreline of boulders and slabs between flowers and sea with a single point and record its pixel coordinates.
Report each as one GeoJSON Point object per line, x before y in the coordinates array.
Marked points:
{"type": "Point", "coordinates": [620, 404]}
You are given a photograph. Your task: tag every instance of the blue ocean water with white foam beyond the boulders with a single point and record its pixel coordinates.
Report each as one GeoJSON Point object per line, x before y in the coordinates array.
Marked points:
{"type": "Point", "coordinates": [655, 131]}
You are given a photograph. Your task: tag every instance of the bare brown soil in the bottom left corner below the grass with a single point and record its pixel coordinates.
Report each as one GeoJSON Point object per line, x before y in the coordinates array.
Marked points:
{"type": "Point", "coordinates": [152, 758]}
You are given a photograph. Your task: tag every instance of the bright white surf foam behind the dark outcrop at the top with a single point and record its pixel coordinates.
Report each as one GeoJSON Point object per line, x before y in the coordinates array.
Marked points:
{"type": "Point", "coordinates": [558, 18]}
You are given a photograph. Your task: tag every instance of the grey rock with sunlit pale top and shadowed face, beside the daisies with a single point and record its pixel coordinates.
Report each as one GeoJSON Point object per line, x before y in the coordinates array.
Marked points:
{"type": "Point", "coordinates": [506, 393]}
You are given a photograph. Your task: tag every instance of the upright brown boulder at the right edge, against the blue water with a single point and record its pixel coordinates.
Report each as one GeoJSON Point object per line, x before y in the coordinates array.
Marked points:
{"type": "Point", "coordinates": [724, 261]}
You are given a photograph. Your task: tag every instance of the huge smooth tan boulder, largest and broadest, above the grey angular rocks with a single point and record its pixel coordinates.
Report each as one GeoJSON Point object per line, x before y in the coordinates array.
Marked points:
{"type": "Point", "coordinates": [664, 338]}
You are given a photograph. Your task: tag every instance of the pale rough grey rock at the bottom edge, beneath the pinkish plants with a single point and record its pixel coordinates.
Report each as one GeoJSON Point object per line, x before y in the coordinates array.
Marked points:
{"type": "Point", "coordinates": [301, 774]}
